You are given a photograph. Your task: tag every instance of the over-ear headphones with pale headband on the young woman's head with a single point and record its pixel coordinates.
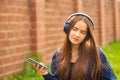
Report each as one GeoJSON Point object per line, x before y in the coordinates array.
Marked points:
{"type": "Point", "coordinates": [67, 23]}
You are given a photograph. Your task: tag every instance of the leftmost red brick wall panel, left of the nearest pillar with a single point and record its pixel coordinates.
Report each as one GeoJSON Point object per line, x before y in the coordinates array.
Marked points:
{"type": "Point", "coordinates": [15, 39]}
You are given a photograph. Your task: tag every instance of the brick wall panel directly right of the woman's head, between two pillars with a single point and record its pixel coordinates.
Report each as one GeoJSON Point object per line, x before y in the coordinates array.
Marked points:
{"type": "Point", "coordinates": [92, 8]}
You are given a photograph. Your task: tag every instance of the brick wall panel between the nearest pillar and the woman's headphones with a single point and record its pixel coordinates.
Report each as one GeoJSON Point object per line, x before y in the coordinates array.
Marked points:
{"type": "Point", "coordinates": [55, 15]}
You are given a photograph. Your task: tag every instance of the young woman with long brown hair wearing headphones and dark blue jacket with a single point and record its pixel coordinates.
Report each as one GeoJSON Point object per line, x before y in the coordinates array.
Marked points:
{"type": "Point", "coordinates": [79, 58]}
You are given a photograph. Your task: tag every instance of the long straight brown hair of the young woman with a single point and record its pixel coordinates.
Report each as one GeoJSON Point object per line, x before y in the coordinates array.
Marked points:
{"type": "Point", "coordinates": [89, 59]}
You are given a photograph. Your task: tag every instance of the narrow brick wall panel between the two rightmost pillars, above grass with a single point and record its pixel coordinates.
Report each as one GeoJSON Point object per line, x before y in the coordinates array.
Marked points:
{"type": "Point", "coordinates": [109, 21]}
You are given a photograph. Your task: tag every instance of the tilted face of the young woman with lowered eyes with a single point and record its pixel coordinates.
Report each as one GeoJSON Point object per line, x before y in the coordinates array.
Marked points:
{"type": "Point", "coordinates": [78, 33]}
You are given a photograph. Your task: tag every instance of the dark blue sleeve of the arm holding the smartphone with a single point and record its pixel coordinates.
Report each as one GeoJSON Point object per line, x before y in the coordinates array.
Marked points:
{"type": "Point", "coordinates": [53, 75]}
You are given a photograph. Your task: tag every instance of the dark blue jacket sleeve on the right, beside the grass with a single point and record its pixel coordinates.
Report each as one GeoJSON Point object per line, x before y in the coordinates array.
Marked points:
{"type": "Point", "coordinates": [107, 73]}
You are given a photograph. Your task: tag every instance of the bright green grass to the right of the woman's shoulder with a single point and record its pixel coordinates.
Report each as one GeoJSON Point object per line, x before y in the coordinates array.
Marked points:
{"type": "Point", "coordinates": [112, 53]}
